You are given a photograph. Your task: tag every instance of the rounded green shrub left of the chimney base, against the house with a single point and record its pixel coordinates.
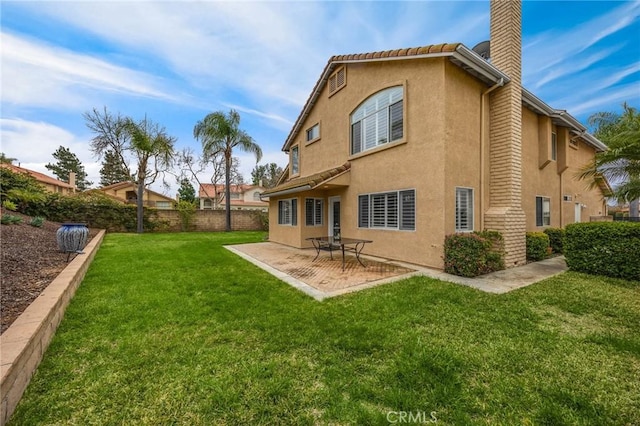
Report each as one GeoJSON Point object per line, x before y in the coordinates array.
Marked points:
{"type": "Point", "coordinates": [473, 254]}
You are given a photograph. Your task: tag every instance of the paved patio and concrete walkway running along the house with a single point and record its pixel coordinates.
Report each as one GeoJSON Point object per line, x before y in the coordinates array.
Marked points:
{"type": "Point", "coordinates": [324, 277]}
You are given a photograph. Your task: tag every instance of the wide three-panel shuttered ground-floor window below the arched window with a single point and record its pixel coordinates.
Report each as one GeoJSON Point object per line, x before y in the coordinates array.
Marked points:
{"type": "Point", "coordinates": [388, 210]}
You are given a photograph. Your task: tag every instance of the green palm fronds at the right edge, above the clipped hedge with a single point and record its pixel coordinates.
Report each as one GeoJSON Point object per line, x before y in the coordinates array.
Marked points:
{"type": "Point", "coordinates": [620, 164]}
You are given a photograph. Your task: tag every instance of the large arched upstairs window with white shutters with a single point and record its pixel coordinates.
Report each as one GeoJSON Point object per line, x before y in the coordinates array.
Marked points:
{"type": "Point", "coordinates": [379, 120]}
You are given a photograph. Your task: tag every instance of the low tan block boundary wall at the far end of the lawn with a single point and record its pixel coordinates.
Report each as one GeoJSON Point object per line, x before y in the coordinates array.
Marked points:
{"type": "Point", "coordinates": [213, 220]}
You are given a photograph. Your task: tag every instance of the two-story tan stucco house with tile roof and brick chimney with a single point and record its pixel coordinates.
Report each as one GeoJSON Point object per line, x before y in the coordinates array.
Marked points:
{"type": "Point", "coordinates": [404, 147]}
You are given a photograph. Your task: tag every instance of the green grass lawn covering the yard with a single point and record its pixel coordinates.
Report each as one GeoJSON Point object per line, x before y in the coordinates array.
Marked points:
{"type": "Point", "coordinates": [175, 329]}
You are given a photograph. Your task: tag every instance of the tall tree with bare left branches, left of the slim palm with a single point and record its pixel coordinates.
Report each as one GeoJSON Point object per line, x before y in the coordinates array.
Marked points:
{"type": "Point", "coordinates": [145, 142]}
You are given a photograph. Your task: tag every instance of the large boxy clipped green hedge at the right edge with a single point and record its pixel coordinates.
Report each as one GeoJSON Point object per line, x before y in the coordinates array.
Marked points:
{"type": "Point", "coordinates": [604, 248]}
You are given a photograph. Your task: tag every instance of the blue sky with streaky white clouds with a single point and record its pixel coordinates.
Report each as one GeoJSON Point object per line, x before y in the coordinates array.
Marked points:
{"type": "Point", "coordinates": [177, 61]}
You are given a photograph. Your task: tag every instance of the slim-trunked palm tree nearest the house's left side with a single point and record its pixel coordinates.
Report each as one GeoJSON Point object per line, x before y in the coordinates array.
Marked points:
{"type": "Point", "coordinates": [220, 134]}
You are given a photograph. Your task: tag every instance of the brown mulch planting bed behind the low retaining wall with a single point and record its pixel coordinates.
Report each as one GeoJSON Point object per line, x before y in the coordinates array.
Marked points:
{"type": "Point", "coordinates": [30, 260]}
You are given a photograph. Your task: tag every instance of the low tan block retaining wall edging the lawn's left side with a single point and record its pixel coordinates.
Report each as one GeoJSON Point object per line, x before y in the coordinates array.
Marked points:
{"type": "Point", "coordinates": [24, 343]}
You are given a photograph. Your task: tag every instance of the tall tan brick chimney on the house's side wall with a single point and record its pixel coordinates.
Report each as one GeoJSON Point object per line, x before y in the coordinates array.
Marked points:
{"type": "Point", "coordinates": [505, 212]}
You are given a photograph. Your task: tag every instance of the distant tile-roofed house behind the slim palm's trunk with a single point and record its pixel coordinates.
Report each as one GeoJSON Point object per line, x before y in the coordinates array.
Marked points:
{"type": "Point", "coordinates": [243, 197]}
